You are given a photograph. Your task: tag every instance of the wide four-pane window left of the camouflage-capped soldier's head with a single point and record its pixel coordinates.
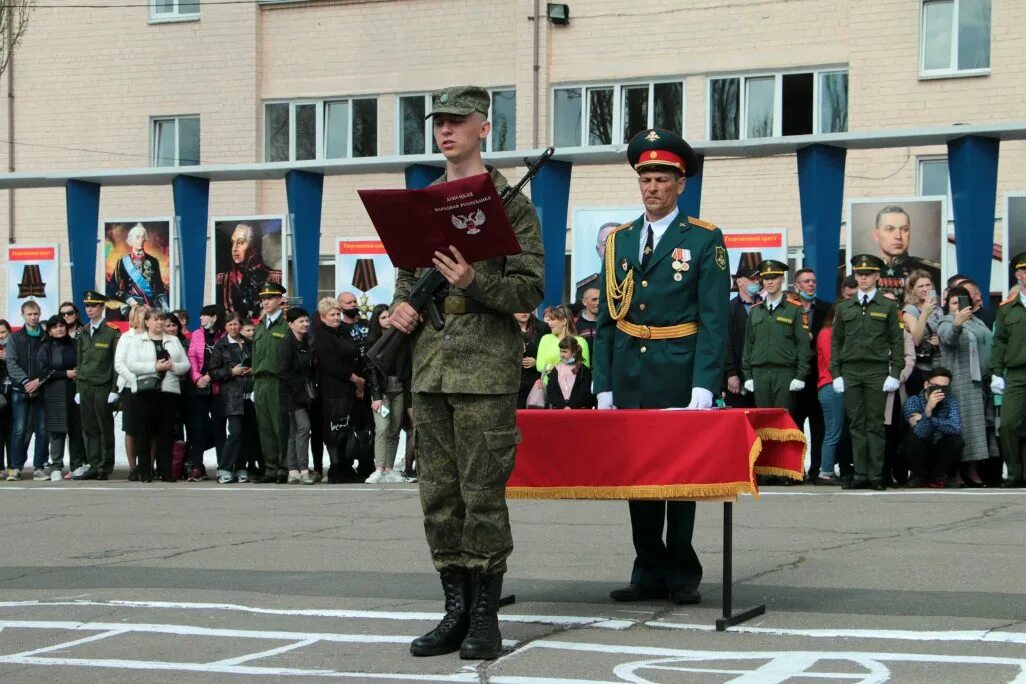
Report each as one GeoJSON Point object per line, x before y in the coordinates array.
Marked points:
{"type": "Point", "coordinates": [321, 130]}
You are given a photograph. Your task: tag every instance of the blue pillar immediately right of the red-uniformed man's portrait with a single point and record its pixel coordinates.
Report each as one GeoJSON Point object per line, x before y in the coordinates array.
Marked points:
{"type": "Point", "coordinates": [305, 191]}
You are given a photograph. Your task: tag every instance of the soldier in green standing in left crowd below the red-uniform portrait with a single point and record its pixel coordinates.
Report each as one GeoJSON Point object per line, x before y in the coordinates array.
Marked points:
{"type": "Point", "coordinates": [270, 333]}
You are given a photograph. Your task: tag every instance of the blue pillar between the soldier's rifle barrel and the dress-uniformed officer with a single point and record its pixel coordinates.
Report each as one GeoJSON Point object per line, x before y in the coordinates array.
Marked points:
{"type": "Point", "coordinates": [550, 191]}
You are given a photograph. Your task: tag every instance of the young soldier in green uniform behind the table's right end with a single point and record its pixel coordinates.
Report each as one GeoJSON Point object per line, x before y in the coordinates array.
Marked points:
{"type": "Point", "coordinates": [777, 352]}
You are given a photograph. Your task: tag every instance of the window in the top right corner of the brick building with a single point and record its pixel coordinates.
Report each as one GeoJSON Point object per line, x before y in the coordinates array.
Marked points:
{"type": "Point", "coordinates": [956, 37]}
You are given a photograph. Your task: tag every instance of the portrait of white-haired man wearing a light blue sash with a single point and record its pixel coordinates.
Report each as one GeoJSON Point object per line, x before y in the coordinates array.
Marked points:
{"type": "Point", "coordinates": [138, 264]}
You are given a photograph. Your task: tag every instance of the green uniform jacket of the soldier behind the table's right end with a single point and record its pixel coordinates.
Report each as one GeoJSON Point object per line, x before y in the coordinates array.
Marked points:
{"type": "Point", "coordinates": [777, 340]}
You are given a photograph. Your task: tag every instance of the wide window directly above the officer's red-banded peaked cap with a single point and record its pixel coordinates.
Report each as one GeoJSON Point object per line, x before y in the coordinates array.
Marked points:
{"type": "Point", "coordinates": [614, 114]}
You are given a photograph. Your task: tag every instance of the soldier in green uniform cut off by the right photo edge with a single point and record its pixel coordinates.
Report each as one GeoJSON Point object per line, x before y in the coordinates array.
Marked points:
{"type": "Point", "coordinates": [1008, 365]}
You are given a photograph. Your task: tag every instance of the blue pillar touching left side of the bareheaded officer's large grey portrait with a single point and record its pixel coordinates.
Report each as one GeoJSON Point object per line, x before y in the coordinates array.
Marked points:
{"type": "Point", "coordinates": [821, 187]}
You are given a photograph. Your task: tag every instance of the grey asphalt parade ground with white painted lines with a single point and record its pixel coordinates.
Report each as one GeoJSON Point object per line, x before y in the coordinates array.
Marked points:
{"type": "Point", "coordinates": [119, 582]}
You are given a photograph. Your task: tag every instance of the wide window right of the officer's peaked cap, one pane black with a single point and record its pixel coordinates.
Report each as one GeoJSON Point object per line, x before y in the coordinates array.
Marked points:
{"type": "Point", "coordinates": [773, 105]}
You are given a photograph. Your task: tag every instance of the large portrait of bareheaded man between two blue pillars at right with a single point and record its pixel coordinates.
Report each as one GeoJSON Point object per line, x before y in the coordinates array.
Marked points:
{"type": "Point", "coordinates": [909, 233]}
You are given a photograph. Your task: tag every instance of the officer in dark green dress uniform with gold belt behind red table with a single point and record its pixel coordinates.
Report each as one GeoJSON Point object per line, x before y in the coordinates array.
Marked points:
{"type": "Point", "coordinates": [660, 343]}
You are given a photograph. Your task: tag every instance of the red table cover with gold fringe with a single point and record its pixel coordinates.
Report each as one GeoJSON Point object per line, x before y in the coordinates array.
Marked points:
{"type": "Point", "coordinates": [653, 455]}
